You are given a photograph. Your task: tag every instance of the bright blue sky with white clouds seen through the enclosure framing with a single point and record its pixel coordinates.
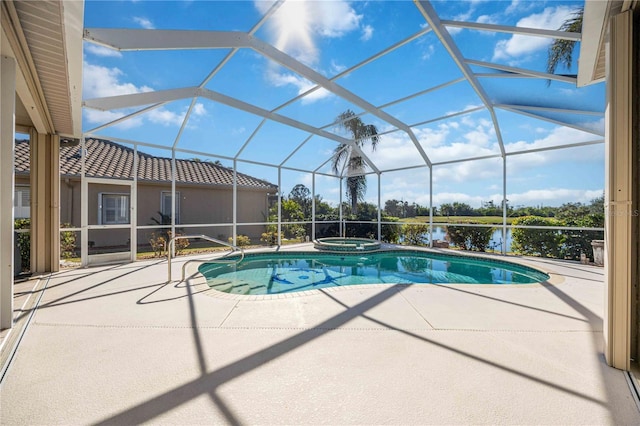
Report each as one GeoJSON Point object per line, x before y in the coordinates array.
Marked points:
{"type": "Point", "coordinates": [333, 36]}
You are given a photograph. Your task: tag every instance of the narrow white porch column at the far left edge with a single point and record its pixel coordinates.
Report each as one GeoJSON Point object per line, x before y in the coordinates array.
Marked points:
{"type": "Point", "coordinates": [7, 148]}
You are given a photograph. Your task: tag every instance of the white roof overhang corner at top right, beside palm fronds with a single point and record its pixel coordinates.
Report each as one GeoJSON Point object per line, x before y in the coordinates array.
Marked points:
{"type": "Point", "coordinates": [591, 68]}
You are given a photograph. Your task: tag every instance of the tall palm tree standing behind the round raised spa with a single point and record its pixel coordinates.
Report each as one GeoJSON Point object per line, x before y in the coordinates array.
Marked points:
{"type": "Point", "coordinates": [345, 155]}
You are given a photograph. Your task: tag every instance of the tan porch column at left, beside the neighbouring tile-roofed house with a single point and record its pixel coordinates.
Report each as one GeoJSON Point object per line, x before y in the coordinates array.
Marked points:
{"type": "Point", "coordinates": [45, 202]}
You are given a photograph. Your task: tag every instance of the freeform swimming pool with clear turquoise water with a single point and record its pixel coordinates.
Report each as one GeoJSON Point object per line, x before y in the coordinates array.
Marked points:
{"type": "Point", "coordinates": [276, 273]}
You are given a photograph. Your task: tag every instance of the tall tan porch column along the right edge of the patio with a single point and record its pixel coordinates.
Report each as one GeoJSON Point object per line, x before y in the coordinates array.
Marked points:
{"type": "Point", "coordinates": [618, 193]}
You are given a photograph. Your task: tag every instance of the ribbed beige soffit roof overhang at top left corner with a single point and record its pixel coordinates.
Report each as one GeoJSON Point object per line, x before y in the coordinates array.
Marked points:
{"type": "Point", "coordinates": [45, 38]}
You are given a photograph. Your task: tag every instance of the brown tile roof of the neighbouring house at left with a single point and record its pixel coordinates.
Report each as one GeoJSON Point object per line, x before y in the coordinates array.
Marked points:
{"type": "Point", "coordinates": [107, 159]}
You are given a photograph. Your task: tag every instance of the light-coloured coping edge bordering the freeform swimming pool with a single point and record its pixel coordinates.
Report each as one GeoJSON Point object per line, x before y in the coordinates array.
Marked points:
{"type": "Point", "coordinates": [196, 279]}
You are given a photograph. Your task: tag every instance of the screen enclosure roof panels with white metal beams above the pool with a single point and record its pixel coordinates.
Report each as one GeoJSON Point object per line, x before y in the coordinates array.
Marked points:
{"type": "Point", "coordinates": [265, 82]}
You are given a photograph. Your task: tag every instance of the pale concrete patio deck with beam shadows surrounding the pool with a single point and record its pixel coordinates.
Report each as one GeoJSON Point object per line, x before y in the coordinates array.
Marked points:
{"type": "Point", "coordinates": [116, 345]}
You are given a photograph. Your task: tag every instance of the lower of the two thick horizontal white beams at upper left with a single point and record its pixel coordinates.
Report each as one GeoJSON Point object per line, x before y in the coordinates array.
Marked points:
{"type": "Point", "coordinates": [138, 99]}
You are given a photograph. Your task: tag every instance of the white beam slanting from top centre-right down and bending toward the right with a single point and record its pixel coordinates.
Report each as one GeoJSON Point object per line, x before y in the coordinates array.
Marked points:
{"type": "Point", "coordinates": [430, 15]}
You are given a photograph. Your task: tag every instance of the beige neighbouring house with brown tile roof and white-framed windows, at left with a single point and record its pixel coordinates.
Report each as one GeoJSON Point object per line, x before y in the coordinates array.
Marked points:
{"type": "Point", "coordinates": [204, 195]}
